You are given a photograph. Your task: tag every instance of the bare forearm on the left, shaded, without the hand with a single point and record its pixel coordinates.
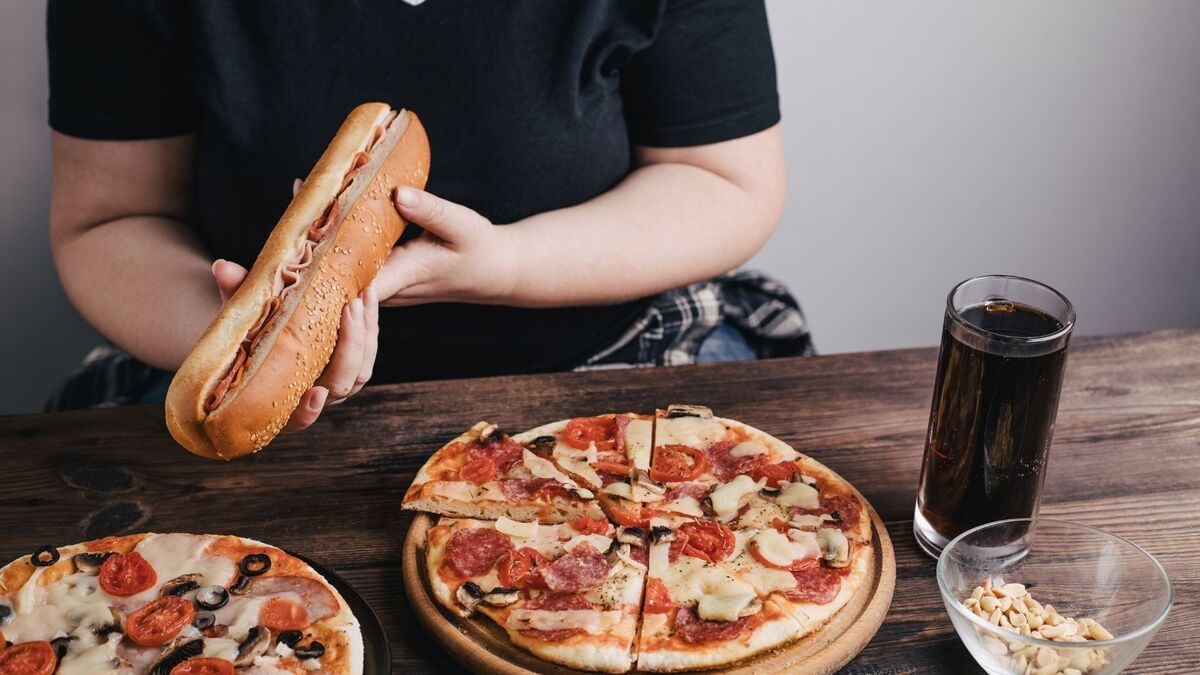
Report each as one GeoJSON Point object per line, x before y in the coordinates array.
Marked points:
{"type": "Point", "coordinates": [145, 283]}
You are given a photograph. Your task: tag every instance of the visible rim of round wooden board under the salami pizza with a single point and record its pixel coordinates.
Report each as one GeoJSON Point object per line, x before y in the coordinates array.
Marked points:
{"type": "Point", "coordinates": [483, 647]}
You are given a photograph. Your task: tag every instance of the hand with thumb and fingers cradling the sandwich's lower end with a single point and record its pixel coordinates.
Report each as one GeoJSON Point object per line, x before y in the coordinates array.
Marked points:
{"type": "Point", "coordinates": [350, 367]}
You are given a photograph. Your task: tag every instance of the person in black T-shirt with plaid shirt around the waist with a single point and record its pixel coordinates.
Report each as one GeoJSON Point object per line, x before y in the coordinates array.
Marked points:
{"type": "Point", "coordinates": [598, 168]}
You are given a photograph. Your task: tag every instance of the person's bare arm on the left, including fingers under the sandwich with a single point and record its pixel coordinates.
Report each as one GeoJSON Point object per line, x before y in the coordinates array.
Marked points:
{"type": "Point", "coordinates": [143, 279]}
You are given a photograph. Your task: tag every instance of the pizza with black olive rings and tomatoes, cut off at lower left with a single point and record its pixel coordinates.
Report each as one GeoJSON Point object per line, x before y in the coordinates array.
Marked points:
{"type": "Point", "coordinates": [173, 605]}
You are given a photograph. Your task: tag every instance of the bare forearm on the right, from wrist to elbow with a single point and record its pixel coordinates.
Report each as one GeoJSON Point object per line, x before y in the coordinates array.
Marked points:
{"type": "Point", "coordinates": [667, 225]}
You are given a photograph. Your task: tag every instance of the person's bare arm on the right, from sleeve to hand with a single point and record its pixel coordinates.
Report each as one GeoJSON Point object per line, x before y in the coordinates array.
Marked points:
{"type": "Point", "coordinates": [685, 214]}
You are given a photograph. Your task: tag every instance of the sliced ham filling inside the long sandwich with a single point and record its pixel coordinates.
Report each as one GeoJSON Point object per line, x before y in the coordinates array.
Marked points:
{"type": "Point", "coordinates": [287, 278]}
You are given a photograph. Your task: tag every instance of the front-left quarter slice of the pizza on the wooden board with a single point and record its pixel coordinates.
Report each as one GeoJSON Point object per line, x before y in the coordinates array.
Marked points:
{"type": "Point", "coordinates": [569, 594]}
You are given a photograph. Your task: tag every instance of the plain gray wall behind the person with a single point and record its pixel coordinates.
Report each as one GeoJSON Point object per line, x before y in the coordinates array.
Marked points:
{"type": "Point", "coordinates": [927, 142]}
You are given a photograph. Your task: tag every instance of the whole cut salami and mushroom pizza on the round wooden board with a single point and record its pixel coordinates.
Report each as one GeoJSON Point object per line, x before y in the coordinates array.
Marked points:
{"type": "Point", "coordinates": [662, 542]}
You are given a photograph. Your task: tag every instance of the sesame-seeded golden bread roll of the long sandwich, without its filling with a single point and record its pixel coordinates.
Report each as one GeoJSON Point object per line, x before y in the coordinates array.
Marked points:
{"type": "Point", "coordinates": [298, 349]}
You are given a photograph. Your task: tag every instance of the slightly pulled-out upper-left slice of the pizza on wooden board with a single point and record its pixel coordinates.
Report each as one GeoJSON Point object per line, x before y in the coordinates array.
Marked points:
{"type": "Point", "coordinates": [488, 474]}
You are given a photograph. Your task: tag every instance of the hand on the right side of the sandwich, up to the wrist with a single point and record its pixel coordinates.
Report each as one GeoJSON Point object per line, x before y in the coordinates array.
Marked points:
{"type": "Point", "coordinates": [460, 258]}
